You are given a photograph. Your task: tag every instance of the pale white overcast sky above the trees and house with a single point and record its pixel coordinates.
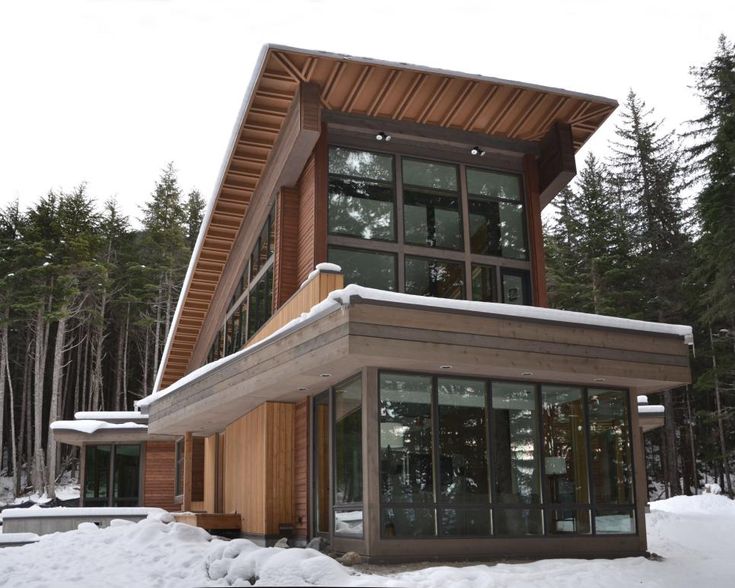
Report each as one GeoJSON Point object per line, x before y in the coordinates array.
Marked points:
{"type": "Point", "coordinates": [109, 91]}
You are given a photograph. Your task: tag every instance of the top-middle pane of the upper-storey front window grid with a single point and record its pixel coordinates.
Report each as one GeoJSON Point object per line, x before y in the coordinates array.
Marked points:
{"type": "Point", "coordinates": [431, 209]}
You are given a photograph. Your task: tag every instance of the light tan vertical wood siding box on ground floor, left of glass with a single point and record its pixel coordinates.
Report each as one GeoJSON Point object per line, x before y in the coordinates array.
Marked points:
{"type": "Point", "coordinates": [258, 468]}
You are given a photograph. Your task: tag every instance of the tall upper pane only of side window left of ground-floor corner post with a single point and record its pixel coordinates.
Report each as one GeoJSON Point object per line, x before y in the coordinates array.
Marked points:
{"type": "Point", "coordinates": [348, 442]}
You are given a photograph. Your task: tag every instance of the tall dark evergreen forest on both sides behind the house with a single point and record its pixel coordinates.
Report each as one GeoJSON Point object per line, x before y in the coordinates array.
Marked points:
{"type": "Point", "coordinates": [646, 231]}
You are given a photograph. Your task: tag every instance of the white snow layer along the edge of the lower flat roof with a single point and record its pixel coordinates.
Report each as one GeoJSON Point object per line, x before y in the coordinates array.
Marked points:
{"type": "Point", "coordinates": [342, 298]}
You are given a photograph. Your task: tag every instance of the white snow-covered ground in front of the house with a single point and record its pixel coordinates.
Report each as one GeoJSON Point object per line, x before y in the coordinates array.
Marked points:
{"type": "Point", "coordinates": [694, 535]}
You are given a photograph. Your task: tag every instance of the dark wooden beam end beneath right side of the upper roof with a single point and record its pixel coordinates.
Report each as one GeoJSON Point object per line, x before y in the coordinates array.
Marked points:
{"type": "Point", "coordinates": [556, 166]}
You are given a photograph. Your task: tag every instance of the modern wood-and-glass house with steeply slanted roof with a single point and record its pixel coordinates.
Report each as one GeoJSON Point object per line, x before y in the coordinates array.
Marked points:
{"type": "Point", "coordinates": [361, 350]}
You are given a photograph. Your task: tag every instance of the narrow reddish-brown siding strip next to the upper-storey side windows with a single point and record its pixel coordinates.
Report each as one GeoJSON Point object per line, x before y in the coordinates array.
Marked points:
{"type": "Point", "coordinates": [285, 280]}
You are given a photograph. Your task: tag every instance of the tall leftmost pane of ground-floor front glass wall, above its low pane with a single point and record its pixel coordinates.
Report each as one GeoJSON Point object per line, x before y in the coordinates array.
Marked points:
{"type": "Point", "coordinates": [405, 439]}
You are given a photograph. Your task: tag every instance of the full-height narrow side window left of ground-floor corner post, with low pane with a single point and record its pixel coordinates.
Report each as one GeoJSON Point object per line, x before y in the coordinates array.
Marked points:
{"type": "Point", "coordinates": [348, 458]}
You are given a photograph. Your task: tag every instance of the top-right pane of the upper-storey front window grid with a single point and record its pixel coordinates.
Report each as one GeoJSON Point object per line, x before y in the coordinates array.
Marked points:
{"type": "Point", "coordinates": [497, 224]}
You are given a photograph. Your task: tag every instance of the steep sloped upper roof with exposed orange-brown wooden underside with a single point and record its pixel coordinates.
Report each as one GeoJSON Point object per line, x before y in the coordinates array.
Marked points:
{"type": "Point", "coordinates": [393, 91]}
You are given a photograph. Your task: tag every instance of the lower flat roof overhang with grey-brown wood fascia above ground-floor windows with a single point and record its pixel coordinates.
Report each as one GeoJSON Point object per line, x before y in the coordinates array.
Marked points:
{"type": "Point", "coordinates": [475, 339]}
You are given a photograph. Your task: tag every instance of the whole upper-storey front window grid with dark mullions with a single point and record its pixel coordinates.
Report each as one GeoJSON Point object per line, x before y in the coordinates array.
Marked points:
{"type": "Point", "coordinates": [432, 228]}
